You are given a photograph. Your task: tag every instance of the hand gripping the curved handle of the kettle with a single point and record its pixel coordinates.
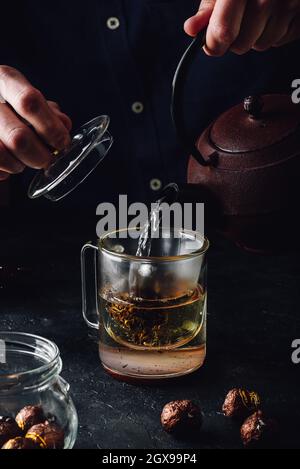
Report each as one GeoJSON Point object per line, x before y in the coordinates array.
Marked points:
{"type": "Point", "coordinates": [241, 25]}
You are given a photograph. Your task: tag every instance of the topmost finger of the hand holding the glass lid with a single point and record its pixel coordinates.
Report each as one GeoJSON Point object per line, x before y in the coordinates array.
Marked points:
{"type": "Point", "coordinates": [30, 104]}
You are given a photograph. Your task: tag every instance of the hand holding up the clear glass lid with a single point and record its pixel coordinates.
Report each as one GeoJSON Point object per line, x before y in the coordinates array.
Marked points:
{"type": "Point", "coordinates": [29, 125]}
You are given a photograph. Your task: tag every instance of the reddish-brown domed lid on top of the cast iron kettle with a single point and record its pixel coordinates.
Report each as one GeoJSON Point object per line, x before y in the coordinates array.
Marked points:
{"type": "Point", "coordinates": [258, 123]}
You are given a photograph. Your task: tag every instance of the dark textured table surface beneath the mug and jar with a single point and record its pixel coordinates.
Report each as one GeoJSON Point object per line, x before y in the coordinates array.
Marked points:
{"type": "Point", "coordinates": [253, 319]}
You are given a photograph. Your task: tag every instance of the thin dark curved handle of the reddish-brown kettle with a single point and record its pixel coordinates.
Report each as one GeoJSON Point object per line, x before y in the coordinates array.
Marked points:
{"type": "Point", "coordinates": [178, 95]}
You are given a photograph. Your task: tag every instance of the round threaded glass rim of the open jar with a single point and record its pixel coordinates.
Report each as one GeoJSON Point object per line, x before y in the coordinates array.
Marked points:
{"type": "Point", "coordinates": [29, 346]}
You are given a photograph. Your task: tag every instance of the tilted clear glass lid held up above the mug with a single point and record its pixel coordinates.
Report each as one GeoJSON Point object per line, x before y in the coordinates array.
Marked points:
{"type": "Point", "coordinates": [72, 166]}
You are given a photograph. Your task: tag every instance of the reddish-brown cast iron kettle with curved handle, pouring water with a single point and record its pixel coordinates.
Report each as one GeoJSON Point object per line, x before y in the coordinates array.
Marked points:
{"type": "Point", "coordinates": [245, 166]}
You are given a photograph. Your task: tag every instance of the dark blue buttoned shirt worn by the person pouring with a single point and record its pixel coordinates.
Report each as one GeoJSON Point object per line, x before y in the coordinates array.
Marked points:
{"type": "Point", "coordinates": [118, 57]}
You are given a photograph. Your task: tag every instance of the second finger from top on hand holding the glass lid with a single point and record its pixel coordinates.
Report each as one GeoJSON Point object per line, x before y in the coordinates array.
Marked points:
{"type": "Point", "coordinates": [21, 141]}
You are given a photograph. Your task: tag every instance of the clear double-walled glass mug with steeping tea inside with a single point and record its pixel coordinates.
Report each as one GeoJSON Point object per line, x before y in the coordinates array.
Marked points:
{"type": "Point", "coordinates": [151, 310]}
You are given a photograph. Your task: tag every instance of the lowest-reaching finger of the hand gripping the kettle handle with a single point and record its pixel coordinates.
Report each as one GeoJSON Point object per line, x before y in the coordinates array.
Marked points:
{"type": "Point", "coordinates": [224, 26]}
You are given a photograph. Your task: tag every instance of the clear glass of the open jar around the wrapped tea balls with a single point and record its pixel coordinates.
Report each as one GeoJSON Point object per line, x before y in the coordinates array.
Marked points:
{"type": "Point", "coordinates": [30, 369]}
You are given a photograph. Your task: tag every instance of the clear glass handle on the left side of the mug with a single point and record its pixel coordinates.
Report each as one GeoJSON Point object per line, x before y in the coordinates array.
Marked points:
{"type": "Point", "coordinates": [89, 295]}
